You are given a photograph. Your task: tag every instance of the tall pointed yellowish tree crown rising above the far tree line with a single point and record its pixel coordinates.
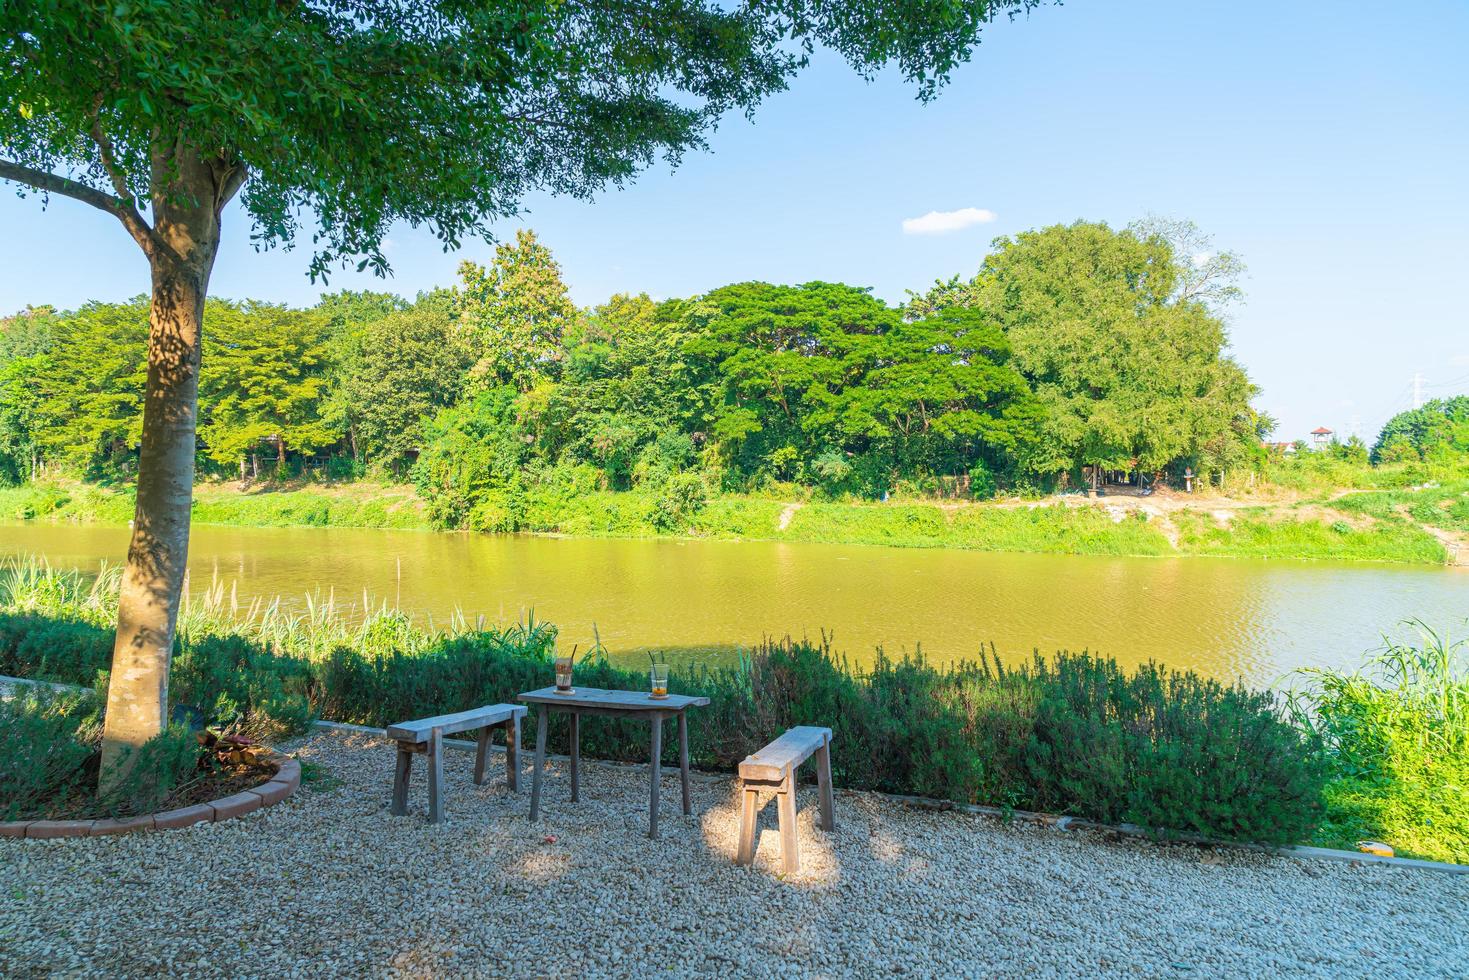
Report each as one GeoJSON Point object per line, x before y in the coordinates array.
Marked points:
{"type": "Point", "coordinates": [515, 314]}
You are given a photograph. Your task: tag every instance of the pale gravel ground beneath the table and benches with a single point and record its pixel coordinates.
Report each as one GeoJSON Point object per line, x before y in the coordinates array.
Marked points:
{"type": "Point", "coordinates": [330, 885]}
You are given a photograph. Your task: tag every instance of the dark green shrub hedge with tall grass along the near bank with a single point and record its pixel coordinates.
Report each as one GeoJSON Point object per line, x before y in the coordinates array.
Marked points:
{"type": "Point", "coordinates": [1070, 734]}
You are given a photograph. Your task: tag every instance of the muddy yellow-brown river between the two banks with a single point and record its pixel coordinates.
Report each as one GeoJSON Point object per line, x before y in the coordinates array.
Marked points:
{"type": "Point", "coordinates": [709, 599]}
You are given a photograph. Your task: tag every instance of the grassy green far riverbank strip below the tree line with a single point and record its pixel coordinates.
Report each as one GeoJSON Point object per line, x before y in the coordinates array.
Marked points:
{"type": "Point", "coordinates": [1346, 530]}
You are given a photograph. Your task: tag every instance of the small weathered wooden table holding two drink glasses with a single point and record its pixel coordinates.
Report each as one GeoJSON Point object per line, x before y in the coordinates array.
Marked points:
{"type": "Point", "coordinates": [619, 705]}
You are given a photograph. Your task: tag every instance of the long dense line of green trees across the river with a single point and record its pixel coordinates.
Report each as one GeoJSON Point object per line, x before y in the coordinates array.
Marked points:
{"type": "Point", "coordinates": [1073, 347]}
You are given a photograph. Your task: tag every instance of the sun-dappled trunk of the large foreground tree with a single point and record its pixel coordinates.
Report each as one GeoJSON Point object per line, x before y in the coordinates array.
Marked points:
{"type": "Point", "coordinates": [189, 193]}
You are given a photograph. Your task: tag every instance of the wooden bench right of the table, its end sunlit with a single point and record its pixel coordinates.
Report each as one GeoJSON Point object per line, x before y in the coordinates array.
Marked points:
{"type": "Point", "coordinates": [775, 768]}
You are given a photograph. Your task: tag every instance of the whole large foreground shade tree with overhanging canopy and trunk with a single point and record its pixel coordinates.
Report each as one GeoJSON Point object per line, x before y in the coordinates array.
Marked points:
{"type": "Point", "coordinates": [365, 114]}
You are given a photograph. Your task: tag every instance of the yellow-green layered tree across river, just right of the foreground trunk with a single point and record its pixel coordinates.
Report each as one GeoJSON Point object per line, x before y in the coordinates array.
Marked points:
{"type": "Point", "coordinates": [265, 383]}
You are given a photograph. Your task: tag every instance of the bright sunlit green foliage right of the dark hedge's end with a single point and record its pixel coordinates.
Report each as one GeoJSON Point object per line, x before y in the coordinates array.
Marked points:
{"type": "Point", "coordinates": [1396, 737]}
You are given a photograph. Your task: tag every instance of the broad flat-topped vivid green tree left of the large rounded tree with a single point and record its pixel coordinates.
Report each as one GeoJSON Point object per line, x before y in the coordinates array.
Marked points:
{"type": "Point", "coordinates": [828, 383]}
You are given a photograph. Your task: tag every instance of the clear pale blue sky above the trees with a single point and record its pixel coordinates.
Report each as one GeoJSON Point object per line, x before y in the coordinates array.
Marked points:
{"type": "Point", "coordinates": [1329, 143]}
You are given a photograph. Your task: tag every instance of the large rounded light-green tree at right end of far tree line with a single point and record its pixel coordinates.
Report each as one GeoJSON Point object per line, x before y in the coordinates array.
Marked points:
{"type": "Point", "coordinates": [1116, 333]}
